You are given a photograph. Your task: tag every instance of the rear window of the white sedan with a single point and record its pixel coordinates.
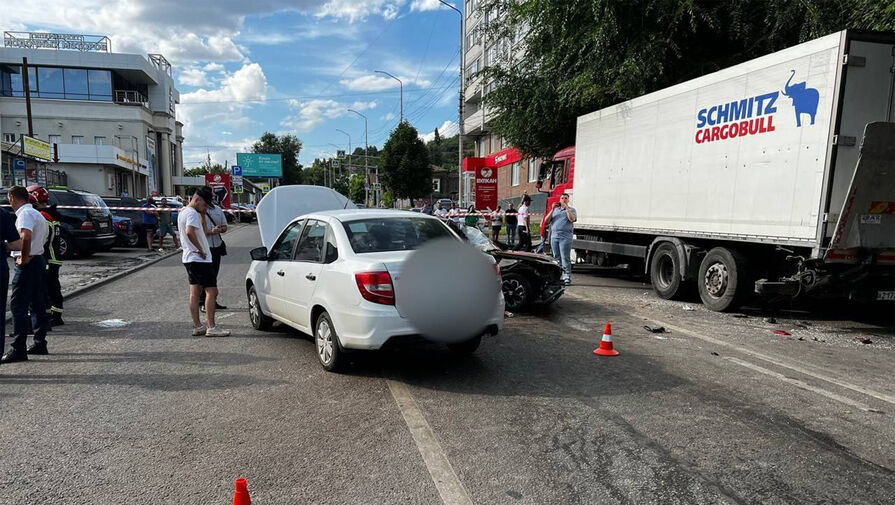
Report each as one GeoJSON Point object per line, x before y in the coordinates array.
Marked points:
{"type": "Point", "coordinates": [393, 234]}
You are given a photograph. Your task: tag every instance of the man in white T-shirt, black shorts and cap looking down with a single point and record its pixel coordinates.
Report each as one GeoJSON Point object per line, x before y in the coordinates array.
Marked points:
{"type": "Point", "coordinates": [197, 261]}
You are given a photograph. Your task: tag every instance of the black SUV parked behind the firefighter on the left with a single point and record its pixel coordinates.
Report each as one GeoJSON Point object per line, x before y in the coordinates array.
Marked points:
{"type": "Point", "coordinates": [84, 231]}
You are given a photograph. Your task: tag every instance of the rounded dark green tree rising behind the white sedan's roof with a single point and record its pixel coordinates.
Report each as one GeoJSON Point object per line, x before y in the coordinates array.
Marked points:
{"type": "Point", "coordinates": [404, 167]}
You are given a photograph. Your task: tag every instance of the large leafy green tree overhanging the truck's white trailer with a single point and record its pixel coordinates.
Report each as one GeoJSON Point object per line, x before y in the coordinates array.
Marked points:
{"type": "Point", "coordinates": [586, 55]}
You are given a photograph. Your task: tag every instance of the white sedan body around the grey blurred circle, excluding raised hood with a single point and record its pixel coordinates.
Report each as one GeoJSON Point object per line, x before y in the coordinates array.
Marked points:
{"type": "Point", "coordinates": [331, 275]}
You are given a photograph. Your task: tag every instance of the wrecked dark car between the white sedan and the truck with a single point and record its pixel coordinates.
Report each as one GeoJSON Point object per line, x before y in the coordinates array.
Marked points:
{"type": "Point", "coordinates": [527, 279]}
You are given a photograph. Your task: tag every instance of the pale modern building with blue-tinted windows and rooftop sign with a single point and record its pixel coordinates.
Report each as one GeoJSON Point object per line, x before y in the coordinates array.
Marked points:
{"type": "Point", "coordinates": [110, 117]}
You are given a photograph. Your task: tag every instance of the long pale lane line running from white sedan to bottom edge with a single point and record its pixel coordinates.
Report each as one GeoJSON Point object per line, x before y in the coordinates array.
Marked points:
{"type": "Point", "coordinates": [446, 481]}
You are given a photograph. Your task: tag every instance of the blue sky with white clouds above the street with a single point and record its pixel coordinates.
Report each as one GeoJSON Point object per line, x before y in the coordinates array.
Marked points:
{"type": "Point", "coordinates": [284, 66]}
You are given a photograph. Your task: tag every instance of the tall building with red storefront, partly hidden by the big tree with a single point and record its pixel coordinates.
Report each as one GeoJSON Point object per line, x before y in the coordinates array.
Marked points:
{"type": "Point", "coordinates": [516, 176]}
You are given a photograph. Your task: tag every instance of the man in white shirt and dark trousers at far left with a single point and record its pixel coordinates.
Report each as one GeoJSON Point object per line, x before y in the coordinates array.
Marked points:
{"type": "Point", "coordinates": [29, 287]}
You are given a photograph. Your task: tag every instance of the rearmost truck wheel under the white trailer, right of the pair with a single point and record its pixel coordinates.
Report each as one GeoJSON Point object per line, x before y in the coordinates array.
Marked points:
{"type": "Point", "coordinates": [723, 280]}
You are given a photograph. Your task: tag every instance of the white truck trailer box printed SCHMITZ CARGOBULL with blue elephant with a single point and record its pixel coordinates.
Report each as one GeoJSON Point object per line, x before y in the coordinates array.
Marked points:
{"type": "Point", "coordinates": [763, 152]}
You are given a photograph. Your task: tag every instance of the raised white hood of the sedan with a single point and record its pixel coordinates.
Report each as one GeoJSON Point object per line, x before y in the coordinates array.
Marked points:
{"type": "Point", "coordinates": [284, 203]}
